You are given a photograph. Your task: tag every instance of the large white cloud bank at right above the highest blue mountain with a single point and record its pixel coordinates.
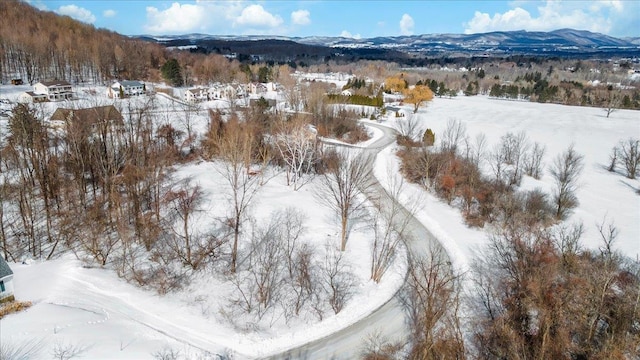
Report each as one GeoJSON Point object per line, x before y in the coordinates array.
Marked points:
{"type": "Point", "coordinates": [595, 15]}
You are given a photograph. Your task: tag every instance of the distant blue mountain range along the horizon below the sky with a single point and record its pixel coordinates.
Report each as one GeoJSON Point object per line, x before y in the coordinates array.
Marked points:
{"type": "Point", "coordinates": [563, 43]}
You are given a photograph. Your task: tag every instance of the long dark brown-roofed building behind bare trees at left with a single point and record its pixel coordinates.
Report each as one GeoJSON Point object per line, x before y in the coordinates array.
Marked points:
{"type": "Point", "coordinates": [89, 119]}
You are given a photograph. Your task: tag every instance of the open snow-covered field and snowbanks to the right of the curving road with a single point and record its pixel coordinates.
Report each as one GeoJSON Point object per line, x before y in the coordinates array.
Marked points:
{"type": "Point", "coordinates": [603, 196]}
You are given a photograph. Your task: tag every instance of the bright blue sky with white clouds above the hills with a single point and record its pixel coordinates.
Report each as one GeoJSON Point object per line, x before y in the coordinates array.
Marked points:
{"type": "Point", "coordinates": [359, 19]}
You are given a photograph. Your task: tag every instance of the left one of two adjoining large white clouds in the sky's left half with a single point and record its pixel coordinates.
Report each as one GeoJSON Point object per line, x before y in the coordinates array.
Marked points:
{"type": "Point", "coordinates": [178, 18]}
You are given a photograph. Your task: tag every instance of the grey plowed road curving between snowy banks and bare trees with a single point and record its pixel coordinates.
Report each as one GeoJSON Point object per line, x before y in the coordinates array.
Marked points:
{"type": "Point", "coordinates": [388, 320]}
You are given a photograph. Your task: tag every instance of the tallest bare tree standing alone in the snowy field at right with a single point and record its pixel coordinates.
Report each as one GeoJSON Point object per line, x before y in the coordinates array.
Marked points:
{"type": "Point", "coordinates": [565, 171]}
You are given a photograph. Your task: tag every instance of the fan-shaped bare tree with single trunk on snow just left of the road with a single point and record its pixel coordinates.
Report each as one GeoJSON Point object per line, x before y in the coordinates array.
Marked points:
{"type": "Point", "coordinates": [343, 184]}
